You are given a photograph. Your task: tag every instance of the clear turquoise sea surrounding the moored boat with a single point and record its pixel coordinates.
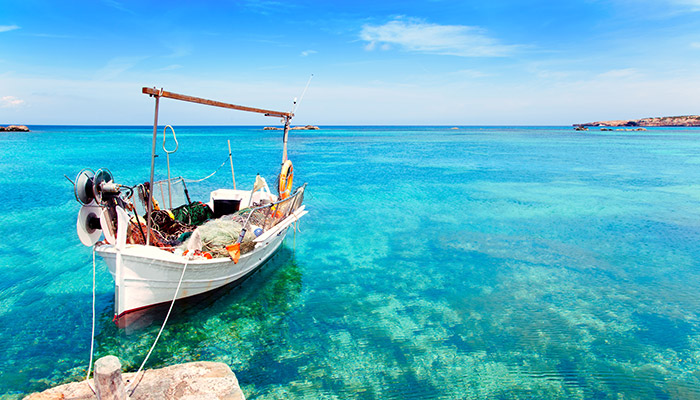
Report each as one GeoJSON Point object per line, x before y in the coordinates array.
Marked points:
{"type": "Point", "coordinates": [476, 263]}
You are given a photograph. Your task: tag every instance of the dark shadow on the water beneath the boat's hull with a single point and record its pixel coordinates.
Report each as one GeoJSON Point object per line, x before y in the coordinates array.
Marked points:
{"type": "Point", "coordinates": [275, 272]}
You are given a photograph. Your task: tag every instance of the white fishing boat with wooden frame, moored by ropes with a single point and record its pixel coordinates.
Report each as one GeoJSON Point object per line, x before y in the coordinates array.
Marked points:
{"type": "Point", "coordinates": [149, 268]}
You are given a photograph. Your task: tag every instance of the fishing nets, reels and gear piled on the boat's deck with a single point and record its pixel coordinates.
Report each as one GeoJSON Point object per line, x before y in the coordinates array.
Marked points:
{"type": "Point", "coordinates": [192, 228]}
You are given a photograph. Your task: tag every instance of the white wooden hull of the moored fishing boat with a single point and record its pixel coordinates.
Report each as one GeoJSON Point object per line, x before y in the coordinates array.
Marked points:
{"type": "Point", "coordinates": [145, 276]}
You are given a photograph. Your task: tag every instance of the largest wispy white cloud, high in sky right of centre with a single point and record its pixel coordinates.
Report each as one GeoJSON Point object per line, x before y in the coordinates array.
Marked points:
{"type": "Point", "coordinates": [419, 36]}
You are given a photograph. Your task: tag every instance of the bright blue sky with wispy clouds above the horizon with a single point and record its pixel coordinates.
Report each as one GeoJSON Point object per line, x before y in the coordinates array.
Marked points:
{"type": "Point", "coordinates": [374, 62]}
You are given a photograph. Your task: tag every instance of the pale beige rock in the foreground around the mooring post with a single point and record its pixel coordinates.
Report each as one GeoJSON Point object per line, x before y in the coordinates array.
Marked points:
{"type": "Point", "coordinates": [197, 380]}
